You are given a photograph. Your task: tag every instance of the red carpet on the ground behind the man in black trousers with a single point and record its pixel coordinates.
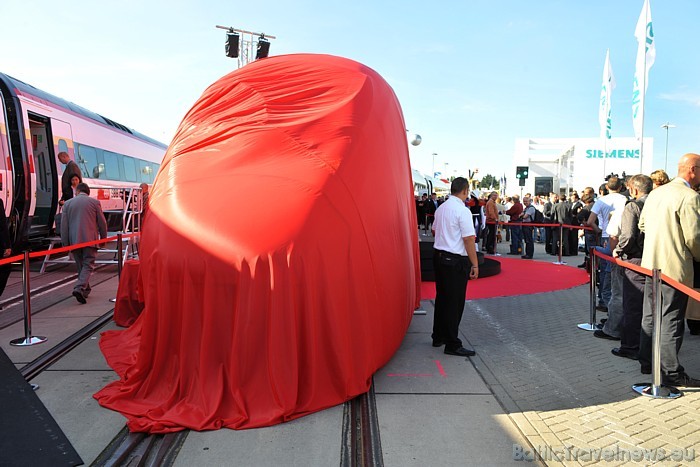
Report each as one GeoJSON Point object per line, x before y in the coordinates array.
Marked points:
{"type": "Point", "coordinates": [518, 277]}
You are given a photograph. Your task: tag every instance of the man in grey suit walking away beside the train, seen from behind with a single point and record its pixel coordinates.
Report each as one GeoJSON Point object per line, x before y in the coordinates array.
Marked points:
{"type": "Point", "coordinates": [83, 221]}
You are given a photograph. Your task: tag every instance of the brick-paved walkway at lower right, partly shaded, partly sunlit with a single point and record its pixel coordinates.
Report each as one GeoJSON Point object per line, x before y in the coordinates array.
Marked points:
{"type": "Point", "coordinates": [565, 390]}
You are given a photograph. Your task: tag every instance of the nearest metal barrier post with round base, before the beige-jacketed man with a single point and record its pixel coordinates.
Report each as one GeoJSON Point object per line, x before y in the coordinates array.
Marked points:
{"type": "Point", "coordinates": [656, 389]}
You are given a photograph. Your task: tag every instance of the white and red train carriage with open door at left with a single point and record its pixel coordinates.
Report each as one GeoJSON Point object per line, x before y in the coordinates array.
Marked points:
{"type": "Point", "coordinates": [34, 127]}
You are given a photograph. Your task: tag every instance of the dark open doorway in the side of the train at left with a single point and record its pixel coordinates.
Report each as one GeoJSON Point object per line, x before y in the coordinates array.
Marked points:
{"type": "Point", "coordinates": [45, 179]}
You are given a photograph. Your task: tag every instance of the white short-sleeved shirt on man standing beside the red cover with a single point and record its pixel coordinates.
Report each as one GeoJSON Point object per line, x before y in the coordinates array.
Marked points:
{"type": "Point", "coordinates": [453, 222]}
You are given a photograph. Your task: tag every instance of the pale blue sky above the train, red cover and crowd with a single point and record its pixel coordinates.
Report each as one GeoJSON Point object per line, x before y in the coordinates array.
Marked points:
{"type": "Point", "coordinates": [471, 76]}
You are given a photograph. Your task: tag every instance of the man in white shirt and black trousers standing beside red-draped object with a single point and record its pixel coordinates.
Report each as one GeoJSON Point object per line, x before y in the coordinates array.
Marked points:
{"type": "Point", "coordinates": [455, 262]}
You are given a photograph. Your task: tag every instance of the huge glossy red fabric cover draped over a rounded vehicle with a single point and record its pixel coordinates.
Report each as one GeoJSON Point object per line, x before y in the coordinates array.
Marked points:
{"type": "Point", "coordinates": [280, 263]}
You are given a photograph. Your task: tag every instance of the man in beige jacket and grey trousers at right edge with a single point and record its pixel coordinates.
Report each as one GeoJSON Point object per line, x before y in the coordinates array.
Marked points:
{"type": "Point", "coordinates": [670, 221]}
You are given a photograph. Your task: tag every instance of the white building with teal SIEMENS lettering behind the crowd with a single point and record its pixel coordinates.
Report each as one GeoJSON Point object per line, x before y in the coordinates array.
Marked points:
{"type": "Point", "coordinates": [564, 165]}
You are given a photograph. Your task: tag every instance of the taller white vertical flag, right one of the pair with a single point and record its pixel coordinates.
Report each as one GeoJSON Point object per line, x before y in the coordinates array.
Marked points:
{"type": "Point", "coordinates": [646, 55]}
